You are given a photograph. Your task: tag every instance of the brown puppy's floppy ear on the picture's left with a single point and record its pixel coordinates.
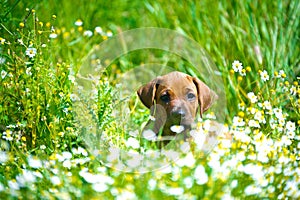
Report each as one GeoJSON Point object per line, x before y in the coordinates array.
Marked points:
{"type": "Point", "coordinates": [147, 93]}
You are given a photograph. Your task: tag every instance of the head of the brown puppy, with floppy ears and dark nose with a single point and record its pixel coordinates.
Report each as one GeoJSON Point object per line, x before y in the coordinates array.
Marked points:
{"type": "Point", "coordinates": [179, 94]}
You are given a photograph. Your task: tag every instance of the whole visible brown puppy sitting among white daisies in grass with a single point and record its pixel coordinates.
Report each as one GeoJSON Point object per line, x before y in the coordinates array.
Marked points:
{"type": "Point", "coordinates": [174, 99]}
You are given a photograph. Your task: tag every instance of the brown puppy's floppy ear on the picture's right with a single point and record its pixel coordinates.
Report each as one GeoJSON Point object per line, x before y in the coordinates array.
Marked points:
{"type": "Point", "coordinates": [205, 95]}
